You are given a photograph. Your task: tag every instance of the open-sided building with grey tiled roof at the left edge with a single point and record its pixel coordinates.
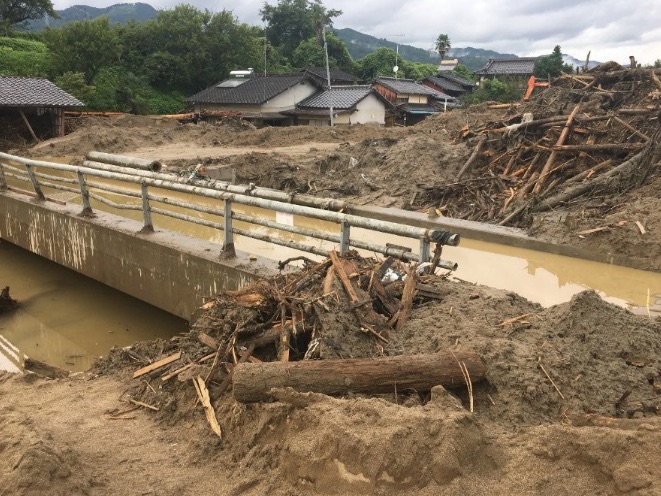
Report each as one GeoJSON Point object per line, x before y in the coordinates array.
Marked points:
{"type": "Point", "coordinates": [37, 102]}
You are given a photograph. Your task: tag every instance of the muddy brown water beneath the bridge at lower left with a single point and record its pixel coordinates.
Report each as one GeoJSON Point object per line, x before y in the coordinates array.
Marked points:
{"type": "Point", "coordinates": [67, 319]}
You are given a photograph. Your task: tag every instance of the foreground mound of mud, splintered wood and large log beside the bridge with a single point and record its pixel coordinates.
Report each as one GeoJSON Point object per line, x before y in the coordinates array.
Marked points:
{"type": "Point", "coordinates": [334, 326]}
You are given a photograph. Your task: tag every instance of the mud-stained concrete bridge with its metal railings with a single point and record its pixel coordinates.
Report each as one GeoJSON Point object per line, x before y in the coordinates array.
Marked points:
{"type": "Point", "coordinates": [176, 272]}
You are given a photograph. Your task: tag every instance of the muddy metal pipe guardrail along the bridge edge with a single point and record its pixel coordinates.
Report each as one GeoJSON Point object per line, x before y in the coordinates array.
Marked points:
{"type": "Point", "coordinates": [274, 200]}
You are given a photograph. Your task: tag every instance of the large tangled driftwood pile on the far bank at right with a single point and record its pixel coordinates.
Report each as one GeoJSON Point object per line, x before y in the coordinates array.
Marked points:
{"type": "Point", "coordinates": [586, 137]}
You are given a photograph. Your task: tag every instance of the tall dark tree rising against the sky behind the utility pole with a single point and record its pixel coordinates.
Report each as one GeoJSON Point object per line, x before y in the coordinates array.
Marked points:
{"type": "Point", "coordinates": [292, 21]}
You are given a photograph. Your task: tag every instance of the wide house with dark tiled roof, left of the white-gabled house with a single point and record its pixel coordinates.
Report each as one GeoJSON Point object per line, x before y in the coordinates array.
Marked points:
{"type": "Point", "coordinates": [260, 99]}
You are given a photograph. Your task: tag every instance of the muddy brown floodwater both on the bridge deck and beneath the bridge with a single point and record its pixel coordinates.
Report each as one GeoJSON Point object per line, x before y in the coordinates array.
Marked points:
{"type": "Point", "coordinates": [69, 320]}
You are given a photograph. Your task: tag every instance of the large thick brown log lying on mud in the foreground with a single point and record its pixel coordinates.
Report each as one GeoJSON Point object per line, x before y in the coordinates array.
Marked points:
{"type": "Point", "coordinates": [254, 381]}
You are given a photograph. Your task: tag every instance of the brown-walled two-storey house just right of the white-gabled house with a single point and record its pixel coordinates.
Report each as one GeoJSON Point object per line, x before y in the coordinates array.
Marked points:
{"type": "Point", "coordinates": [413, 100]}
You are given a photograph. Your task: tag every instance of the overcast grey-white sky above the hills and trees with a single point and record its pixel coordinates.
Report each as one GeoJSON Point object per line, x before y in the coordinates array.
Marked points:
{"type": "Point", "coordinates": [610, 29]}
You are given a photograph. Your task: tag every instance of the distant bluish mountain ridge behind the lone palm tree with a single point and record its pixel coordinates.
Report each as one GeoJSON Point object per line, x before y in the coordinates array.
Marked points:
{"type": "Point", "coordinates": [360, 44]}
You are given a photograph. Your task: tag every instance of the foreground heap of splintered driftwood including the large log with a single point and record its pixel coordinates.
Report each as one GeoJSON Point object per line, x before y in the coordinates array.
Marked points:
{"type": "Point", "coordinates": [329, 328]}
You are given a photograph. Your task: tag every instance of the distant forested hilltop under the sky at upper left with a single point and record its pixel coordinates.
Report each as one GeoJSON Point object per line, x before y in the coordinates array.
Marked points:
{"type": "Point", "coordinates": [119, 13]}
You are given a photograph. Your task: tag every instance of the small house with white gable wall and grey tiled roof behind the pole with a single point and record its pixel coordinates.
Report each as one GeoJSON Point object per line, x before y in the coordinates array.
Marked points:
{"type": "Point", "coordinates": [353, 104]}
